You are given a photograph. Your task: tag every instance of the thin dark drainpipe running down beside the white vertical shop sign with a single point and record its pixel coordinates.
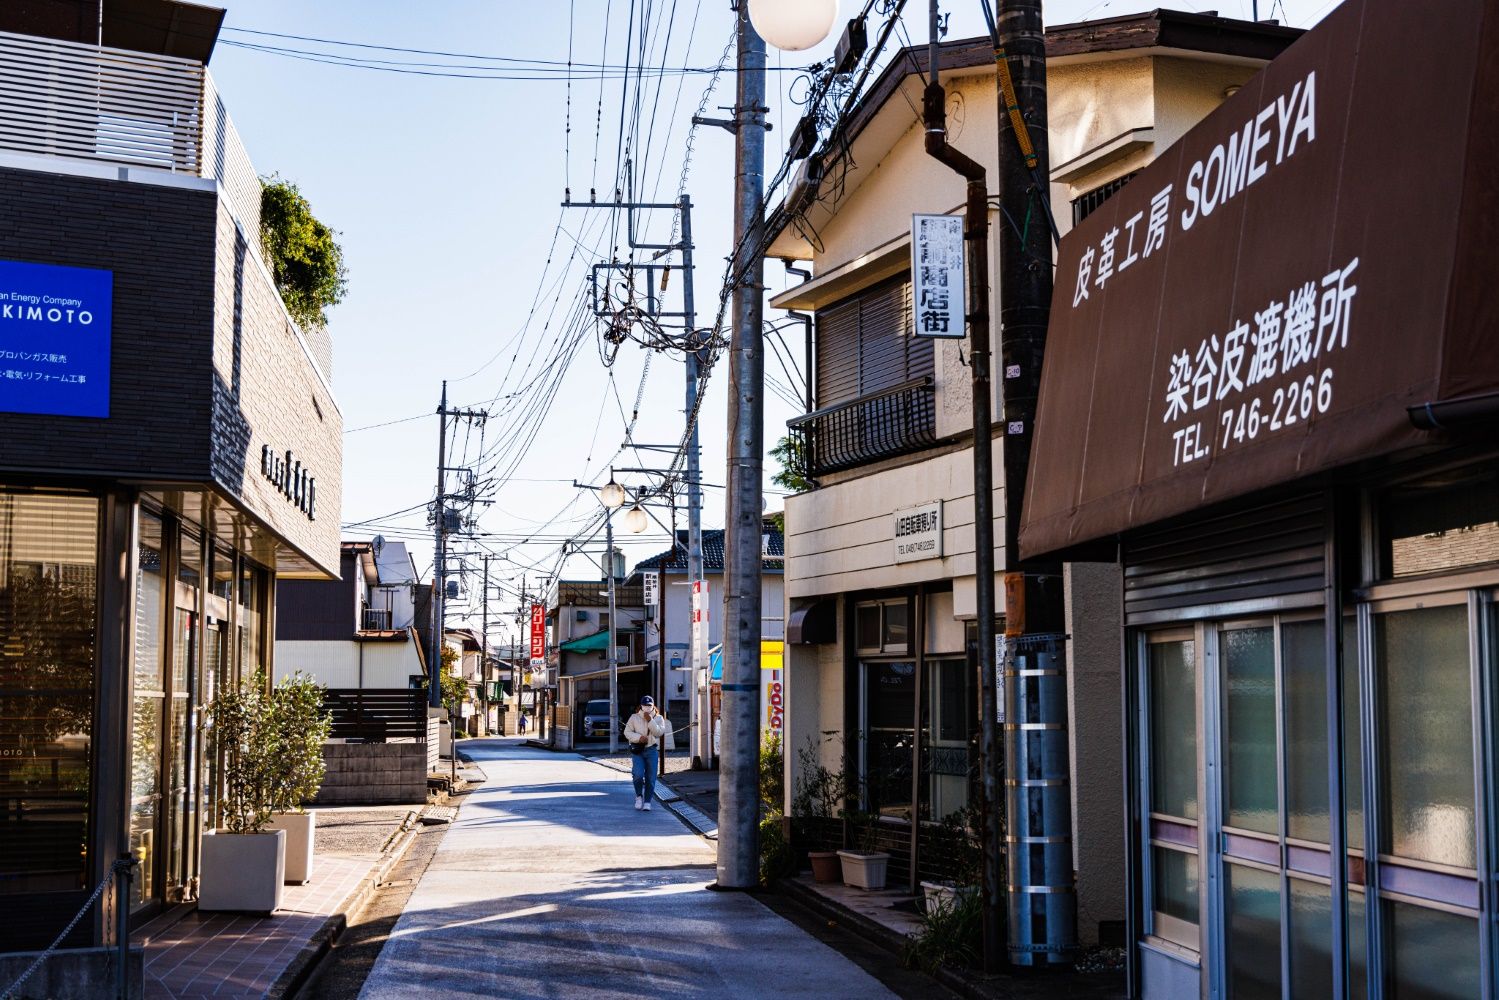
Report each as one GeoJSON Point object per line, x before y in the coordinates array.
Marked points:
{"type": "Point", "coordinates": [977, 235]}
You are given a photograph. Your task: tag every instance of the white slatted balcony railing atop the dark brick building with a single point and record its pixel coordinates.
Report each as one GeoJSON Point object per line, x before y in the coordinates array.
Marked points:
{"type": "Point", "coordinates": [128, 109]}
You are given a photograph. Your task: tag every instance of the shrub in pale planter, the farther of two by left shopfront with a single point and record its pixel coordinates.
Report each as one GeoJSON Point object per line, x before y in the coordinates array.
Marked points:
{"type": "Point", "coordinates": [302, 729]}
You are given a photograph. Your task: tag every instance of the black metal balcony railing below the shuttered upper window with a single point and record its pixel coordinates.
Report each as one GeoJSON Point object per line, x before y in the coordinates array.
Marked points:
{"type": "Point", "coordinates": [884, 425]}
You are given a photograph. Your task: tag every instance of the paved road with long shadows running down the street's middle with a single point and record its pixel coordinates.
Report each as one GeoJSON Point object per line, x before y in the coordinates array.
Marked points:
{"type": "Point", "coordinates": [552, 885]}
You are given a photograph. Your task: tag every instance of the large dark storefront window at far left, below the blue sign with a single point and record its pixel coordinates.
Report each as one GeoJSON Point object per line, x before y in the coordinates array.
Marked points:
{"type": "Point", "coordinates": [49, 558]}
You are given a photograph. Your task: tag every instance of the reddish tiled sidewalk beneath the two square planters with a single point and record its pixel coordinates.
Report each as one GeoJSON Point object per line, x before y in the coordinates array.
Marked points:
{"type": "Point", "coordinates": [238, 957]}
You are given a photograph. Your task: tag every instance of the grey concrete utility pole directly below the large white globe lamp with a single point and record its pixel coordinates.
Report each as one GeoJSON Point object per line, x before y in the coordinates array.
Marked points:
{"type": "Point", "coordinates": [738, 777]}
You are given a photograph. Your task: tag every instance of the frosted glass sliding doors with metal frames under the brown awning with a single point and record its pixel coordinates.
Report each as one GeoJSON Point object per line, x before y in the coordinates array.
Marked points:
{"type": "Point", "coordinates": [1234, 761]}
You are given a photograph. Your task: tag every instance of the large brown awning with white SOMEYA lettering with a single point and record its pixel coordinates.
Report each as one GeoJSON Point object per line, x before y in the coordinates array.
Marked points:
{"type": "Point", "coordinates": [1270, 296]}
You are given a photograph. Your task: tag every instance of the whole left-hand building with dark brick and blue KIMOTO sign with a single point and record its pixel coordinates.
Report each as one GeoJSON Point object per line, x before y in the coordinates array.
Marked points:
{"type": "Point", "coordinates": [172, 454]}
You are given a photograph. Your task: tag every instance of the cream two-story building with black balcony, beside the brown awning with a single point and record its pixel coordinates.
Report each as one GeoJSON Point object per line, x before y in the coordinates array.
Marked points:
{"type": "Point", "coordinates": [879, 629]}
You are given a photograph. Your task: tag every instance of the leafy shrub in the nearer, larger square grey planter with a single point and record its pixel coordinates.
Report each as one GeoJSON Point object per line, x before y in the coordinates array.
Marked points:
{"type": "Point", "coordinates": [244, 864]}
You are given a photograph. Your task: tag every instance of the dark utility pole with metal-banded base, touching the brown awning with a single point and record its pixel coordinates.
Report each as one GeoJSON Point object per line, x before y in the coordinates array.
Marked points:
{"type": "Point", "coordinates": [1043, 897]}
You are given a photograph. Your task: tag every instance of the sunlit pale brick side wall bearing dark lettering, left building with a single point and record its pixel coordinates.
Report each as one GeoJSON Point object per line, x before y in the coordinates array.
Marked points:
{"type": "Point", "coordinates": [266, 392]}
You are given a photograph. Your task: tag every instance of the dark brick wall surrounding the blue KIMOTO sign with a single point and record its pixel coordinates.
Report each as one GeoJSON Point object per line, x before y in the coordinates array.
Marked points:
{"type": "Point", "coordinates": [160, 245]}
